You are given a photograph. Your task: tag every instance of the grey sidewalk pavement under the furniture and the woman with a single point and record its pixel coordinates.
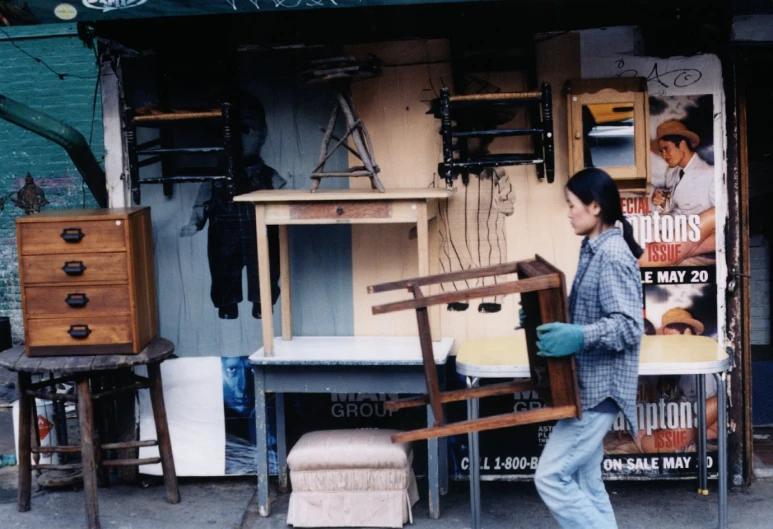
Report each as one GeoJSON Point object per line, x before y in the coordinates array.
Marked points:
{"type": "Point", "coordinates": [229, 503]}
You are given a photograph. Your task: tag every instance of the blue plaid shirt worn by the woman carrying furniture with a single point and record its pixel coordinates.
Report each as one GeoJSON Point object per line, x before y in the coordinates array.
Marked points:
{"type": "Point", "coordinates": [606, 299]}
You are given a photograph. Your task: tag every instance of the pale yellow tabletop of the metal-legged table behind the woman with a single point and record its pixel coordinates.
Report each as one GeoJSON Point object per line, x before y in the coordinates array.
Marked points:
{"type": "Point", "coordinates": [660, 355]}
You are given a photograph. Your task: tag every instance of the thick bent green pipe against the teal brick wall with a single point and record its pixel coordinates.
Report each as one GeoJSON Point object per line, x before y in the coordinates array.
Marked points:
{"type": "Point", "coordinates": [63, 134]}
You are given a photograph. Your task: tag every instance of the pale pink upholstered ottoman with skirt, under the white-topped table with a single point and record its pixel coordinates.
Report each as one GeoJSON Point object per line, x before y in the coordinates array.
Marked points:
{"type": "Point", "coordinates": [351, 478]}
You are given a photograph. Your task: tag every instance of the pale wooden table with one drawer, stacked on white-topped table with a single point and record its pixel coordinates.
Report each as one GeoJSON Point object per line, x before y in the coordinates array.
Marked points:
{"type": "Point", "coordinates": [347, 206]}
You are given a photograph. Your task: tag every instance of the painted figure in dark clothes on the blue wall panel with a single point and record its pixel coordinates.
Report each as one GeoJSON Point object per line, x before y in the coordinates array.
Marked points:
{"type": "Point", "coordinates": [232, 243]}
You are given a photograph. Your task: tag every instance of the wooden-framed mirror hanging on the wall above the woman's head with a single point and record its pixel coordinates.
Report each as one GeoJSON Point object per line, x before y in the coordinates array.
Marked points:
{"type": "Point", "coordinates": [608, 123]}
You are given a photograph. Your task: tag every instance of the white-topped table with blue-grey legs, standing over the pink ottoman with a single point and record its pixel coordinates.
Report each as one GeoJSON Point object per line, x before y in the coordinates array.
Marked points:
{"type": "Point", "coordinates": [344, 364]}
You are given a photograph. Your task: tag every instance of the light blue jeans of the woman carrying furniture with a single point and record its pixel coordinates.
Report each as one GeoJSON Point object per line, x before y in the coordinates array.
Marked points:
{"type": "Point", "coordinates": [568, 477]}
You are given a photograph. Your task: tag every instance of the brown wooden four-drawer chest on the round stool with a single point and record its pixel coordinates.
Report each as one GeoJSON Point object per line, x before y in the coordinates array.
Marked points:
{"type": "Point", "coordinates": [87, 281]}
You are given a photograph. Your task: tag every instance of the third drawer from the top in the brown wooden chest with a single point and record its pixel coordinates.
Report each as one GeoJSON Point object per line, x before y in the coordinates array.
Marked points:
{"type": "Point", "coordinates": [76, 301]}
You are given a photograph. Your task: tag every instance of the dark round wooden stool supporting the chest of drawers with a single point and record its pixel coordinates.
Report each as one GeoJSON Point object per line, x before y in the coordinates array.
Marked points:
{"type": "Point", "coordinates": [85, 371]}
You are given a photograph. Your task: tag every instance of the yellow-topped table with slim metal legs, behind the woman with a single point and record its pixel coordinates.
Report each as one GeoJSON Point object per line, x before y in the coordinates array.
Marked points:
{"type": "Point", "coordinates": [659, 355]}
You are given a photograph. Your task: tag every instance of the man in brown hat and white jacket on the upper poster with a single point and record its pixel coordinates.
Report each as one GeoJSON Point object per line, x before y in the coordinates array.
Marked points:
{"type": "Point", "coordinates": [689, 178]}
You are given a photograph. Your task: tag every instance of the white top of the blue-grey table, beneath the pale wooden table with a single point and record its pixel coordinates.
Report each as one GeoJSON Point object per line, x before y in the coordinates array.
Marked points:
{"type": "Point", "coordinates": [351, 351]}
